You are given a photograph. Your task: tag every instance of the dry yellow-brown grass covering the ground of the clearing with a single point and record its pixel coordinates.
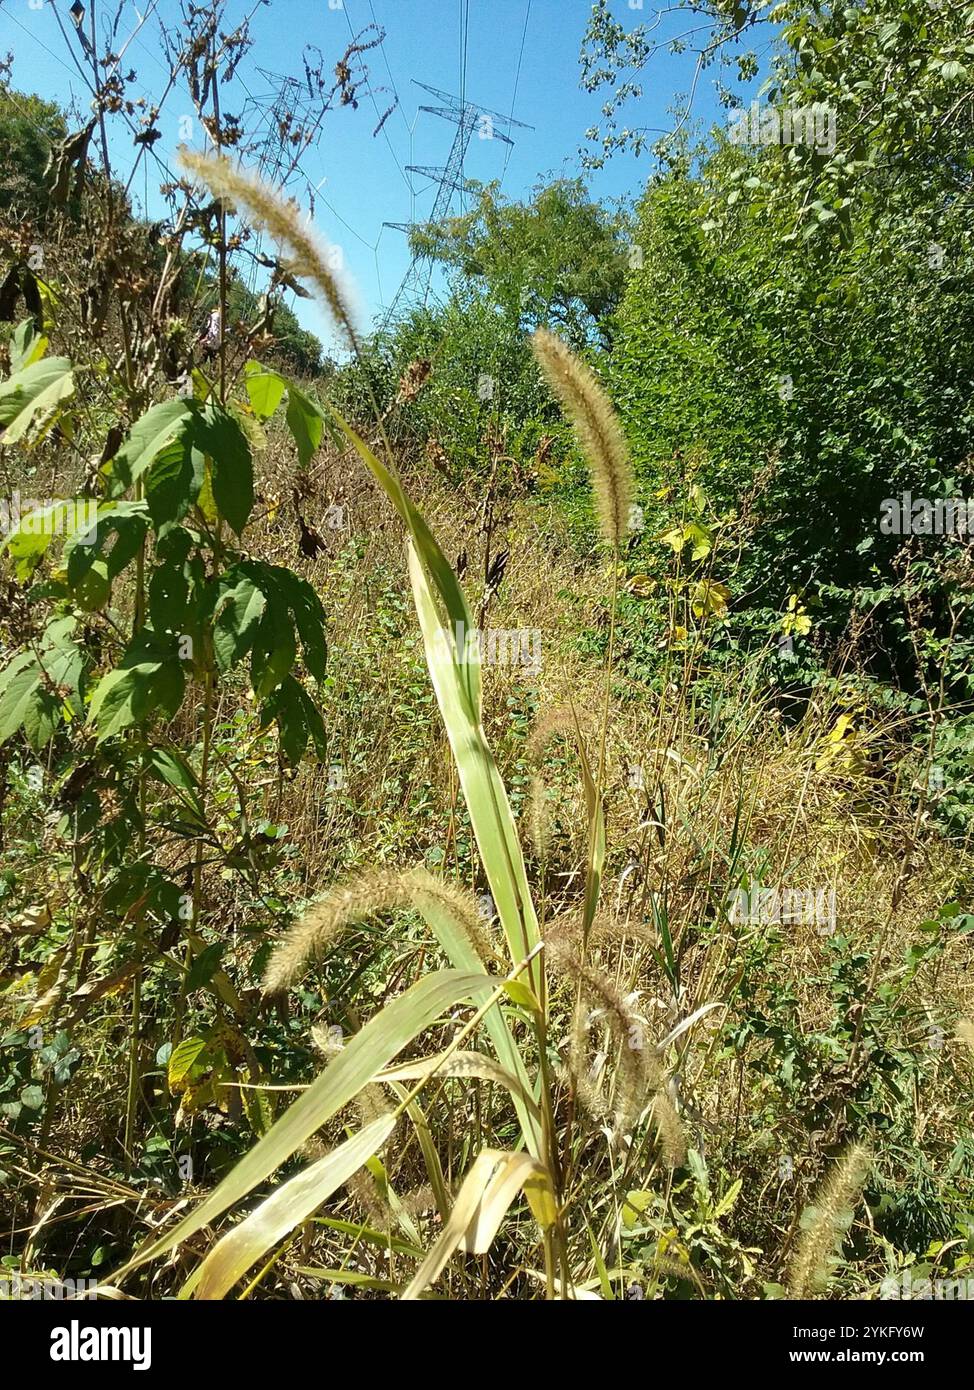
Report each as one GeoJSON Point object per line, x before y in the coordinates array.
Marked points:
{"type": "Point", "coordinates": [816, 822]}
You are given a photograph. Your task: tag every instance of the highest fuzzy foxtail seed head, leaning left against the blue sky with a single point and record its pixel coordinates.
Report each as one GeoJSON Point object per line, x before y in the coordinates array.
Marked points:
{"type": "Point", "coordinates": [309, 259]}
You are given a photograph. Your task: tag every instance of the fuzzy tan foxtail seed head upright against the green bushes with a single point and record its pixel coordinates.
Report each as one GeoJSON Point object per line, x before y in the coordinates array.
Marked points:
{"type": "Point", "coordinates": [598, 429]}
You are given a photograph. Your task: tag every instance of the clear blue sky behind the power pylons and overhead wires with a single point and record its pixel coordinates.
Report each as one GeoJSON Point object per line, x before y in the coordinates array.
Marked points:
{"type": "Point", "coordinates": [365, 184]}
